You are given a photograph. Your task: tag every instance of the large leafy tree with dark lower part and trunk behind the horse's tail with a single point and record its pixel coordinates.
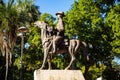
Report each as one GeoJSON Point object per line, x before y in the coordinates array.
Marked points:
{"type": "Point", "coordinates": [85, 20]}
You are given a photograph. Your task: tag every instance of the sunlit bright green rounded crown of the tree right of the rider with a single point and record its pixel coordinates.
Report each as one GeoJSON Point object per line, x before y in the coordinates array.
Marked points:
{"type": "Point", "coordinates": [83, 20]}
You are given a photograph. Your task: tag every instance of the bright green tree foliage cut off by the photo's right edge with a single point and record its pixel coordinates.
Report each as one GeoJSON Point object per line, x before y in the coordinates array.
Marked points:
{"type": "Point", "coordinates": [113, 21]}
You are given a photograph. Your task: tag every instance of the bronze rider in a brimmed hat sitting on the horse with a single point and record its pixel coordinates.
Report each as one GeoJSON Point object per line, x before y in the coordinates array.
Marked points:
{"type": "Point", "coordinates": [59, 37]}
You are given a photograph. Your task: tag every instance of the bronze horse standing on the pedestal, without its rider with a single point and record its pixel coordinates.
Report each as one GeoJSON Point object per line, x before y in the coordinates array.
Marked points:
{"type": "Point", "coordinates": [71, 48]}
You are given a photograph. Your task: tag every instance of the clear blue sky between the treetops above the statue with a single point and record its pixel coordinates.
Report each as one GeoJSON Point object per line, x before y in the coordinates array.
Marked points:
{"type": "Point", "coordinates": [53, 6]}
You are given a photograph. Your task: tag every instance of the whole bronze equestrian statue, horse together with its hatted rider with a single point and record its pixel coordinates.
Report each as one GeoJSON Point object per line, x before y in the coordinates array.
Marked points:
{"type": "Point", "coordinates": [54, 41]}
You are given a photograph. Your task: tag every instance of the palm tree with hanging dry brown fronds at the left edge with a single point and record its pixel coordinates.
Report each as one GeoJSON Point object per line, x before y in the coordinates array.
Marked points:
{"type": "Point", "coordinates": [13, 14]}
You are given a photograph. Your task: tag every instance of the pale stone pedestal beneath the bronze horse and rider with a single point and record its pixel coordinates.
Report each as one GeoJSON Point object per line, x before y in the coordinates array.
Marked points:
{"type": "Point", "coordinates": [58, 75]}
